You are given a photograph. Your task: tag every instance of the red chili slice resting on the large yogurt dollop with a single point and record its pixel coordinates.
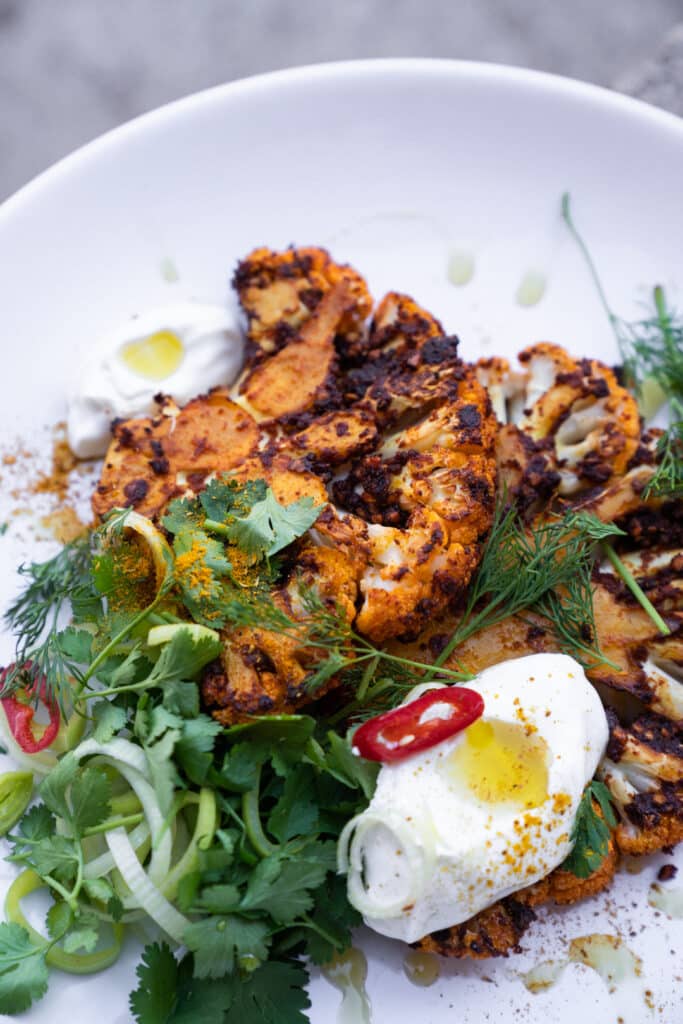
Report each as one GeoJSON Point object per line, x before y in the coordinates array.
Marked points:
{"type": "Point", "coordinates": [416, 727]}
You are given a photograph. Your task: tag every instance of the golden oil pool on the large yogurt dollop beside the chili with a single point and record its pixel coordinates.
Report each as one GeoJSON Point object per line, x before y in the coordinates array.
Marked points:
{"type": "Point", "coordinates": [500, 762]}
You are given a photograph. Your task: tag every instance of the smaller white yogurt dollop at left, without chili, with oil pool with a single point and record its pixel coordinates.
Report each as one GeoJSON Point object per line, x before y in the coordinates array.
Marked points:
{"type": "Point", "coordinates": [181, 351]}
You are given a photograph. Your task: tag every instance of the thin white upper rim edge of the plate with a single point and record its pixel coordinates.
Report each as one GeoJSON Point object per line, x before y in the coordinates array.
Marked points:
{"type": "Point", "coordinates": [241, 90]}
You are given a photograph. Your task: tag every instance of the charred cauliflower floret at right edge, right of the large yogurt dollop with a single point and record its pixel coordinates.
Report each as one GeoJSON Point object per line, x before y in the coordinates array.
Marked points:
{"type": "Point", "coordinates": [644, 771]}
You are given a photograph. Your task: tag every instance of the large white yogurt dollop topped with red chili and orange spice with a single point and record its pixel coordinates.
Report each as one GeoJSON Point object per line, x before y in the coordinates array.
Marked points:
{"type": "Point", "coordinates": [454, 829]}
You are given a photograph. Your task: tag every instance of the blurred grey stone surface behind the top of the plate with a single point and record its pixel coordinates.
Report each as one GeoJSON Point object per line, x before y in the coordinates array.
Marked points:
{"type": "Point", "coordinates": [72, 69]}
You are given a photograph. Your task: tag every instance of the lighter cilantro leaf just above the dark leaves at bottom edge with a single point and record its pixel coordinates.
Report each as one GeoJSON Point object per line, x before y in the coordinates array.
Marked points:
{"type": "Point", "coordinates": [218, 942]}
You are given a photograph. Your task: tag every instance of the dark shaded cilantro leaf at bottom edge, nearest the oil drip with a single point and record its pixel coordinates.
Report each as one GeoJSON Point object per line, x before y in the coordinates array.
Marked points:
{"type": "Point", "coordinates": [275, 994]}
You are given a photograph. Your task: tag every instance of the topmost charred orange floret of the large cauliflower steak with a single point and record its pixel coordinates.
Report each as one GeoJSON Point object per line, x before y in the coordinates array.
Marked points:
{"type": "Point", "coordinates": [280, 292]}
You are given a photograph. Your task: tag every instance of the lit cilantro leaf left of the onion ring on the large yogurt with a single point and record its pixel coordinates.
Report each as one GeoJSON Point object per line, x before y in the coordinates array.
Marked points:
{"type": "Point", "coordinates": [288, 895]}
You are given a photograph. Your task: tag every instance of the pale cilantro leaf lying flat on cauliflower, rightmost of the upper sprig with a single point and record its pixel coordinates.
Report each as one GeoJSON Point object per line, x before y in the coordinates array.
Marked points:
{"type": "Point", "coordinates": [271, 527]}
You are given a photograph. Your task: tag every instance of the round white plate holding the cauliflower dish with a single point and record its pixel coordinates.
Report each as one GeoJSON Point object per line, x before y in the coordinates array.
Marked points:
{"type": "Point", "coordinates": [391, 164]}
